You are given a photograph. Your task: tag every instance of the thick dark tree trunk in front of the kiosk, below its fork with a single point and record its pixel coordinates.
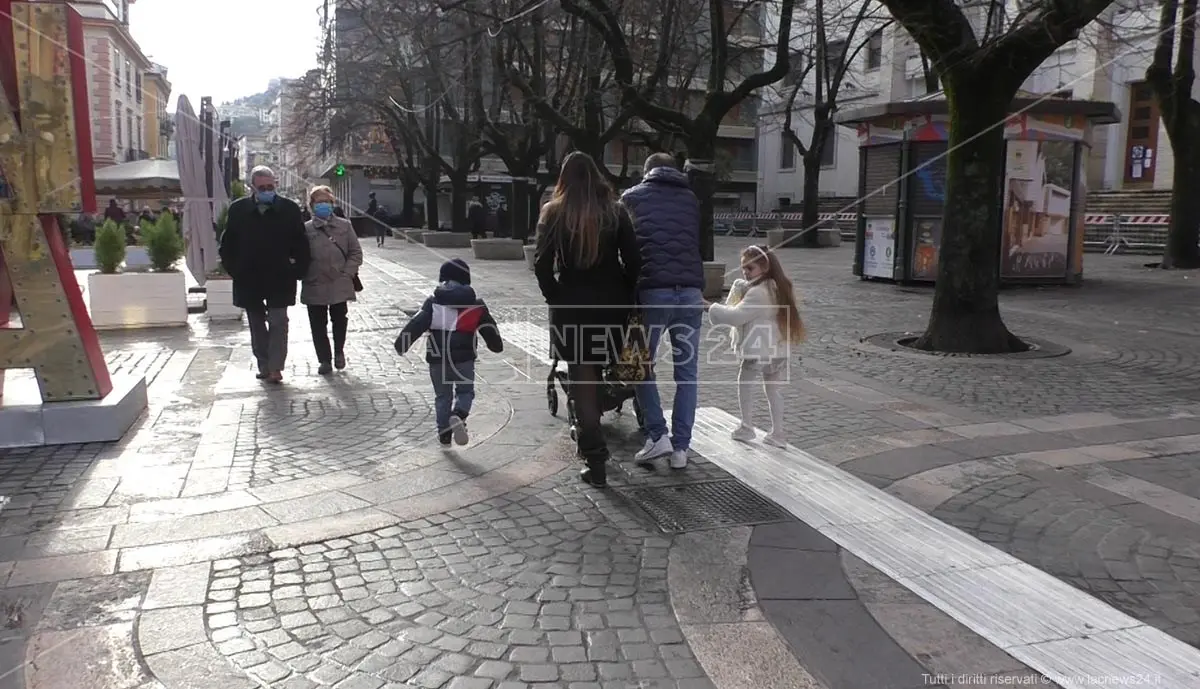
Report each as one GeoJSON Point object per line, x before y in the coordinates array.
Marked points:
{"type": "Point", "coordinates": [967, 309]}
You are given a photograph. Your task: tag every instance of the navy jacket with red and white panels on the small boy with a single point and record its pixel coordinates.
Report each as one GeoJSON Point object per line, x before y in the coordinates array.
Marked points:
{"type": "Point", "coordinates": [453, 317]}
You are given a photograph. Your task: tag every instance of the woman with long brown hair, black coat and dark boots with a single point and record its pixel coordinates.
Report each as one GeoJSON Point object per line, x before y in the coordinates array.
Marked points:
{"type": "Point", "coordinates": [589, 239]}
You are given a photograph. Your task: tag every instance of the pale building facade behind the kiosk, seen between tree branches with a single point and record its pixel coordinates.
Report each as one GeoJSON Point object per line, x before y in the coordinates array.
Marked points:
{"type": "Point", "coordinates": [1107, 63]}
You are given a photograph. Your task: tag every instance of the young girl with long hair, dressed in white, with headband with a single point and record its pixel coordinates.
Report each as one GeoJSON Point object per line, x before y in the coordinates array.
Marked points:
{"type": "Point", "coordinates": [761, 308]}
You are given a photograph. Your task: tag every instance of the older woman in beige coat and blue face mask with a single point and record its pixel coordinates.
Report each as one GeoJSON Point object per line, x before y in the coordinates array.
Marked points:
{"type": "Point", "coordinates": [332, 281]}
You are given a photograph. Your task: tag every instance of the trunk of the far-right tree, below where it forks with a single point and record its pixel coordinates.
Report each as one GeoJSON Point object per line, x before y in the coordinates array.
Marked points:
{"type": "Point", "coordinates": [1184, 235]}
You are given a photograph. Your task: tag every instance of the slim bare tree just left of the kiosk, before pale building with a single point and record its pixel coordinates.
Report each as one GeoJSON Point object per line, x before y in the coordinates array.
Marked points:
{"type": "Point", "coordinates": [831, 40]}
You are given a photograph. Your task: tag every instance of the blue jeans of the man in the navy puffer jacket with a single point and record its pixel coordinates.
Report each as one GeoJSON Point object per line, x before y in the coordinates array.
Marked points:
{"type": "Point", "coordinates": [680, 313]}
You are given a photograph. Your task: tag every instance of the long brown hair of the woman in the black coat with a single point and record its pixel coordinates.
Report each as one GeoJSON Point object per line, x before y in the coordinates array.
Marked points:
{"type": "Point", "coordinates": [580, 209]}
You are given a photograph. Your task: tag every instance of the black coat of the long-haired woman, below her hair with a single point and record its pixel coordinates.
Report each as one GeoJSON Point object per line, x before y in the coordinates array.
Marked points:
{"type": "Point", "coordinates": [589, 305]}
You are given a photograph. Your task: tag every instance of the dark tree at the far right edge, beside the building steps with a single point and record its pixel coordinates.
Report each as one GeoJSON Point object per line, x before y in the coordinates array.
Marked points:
{"type": "Point", "coordinates": [1173, 76]}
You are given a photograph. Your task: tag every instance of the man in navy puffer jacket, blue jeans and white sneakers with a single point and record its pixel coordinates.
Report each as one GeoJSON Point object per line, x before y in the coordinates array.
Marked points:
{"type": "Point", "coordinates": [670, 290]}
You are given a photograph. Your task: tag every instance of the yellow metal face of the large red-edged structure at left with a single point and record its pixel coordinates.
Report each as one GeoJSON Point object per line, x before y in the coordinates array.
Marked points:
{"type": "Point", "coordinates": [40, 161]}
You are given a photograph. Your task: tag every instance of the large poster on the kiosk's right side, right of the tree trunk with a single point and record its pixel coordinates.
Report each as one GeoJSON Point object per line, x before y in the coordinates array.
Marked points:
{"type": "Point", "coordinates": [1039, 194]}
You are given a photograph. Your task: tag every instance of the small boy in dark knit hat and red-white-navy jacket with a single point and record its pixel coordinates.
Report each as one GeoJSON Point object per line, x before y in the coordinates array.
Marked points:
{"type": "Point", "coordinates": [453, 317]}
